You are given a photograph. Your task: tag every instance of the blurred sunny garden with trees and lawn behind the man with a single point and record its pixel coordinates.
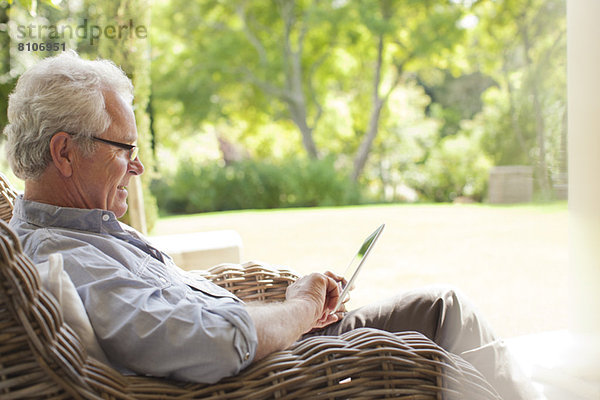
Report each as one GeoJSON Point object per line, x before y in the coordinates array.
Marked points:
{"type": "Point", "coordinates": [446, 119]}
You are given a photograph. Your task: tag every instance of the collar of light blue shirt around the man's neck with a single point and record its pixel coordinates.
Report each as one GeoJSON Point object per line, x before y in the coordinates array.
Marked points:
{"type": "Point", "coordinates": [47, 215]}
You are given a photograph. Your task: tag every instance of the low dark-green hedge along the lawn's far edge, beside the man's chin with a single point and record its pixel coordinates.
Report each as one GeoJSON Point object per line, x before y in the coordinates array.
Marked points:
{"type": "Point", "coordinates": [203, 187]}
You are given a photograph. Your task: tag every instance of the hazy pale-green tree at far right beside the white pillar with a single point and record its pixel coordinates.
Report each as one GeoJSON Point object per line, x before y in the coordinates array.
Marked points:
{"type": "Point", "coordinates": [530, 36]}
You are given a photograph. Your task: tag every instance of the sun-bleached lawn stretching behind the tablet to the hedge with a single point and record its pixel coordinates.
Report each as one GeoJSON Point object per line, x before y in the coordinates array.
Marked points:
{"type": "Point", "coordinates": [512, 261]}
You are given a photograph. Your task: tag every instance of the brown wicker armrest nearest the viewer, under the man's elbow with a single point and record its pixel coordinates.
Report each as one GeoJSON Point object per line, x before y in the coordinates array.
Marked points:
{"type": "Point", "coordinates": [362, 364]}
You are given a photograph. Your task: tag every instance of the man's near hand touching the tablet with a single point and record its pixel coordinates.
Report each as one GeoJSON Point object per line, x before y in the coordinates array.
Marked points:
{"type": "Point", "coordinates": [321, 291]}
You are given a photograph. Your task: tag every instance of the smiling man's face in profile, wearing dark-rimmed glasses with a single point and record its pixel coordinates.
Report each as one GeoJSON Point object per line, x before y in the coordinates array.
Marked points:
{"type": "Point", "coordinates": [103, 177]}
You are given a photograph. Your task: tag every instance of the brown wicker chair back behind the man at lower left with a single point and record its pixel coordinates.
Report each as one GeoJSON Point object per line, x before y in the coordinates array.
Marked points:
{"type": "Point", "coordinates": [42, 357]}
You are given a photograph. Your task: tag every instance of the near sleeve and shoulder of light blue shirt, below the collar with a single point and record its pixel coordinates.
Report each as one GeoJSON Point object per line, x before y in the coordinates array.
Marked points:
{"type": "Point", "coordinates": [154, 326]}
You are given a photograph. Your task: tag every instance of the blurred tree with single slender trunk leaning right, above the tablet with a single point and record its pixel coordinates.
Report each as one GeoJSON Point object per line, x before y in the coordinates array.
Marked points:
{"type": "Point", "coordinates": [416, 34]}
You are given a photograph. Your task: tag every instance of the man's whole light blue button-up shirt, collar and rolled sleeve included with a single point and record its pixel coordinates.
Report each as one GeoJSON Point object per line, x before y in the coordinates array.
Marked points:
{"type": "Point", "coordinates": [149, 315]}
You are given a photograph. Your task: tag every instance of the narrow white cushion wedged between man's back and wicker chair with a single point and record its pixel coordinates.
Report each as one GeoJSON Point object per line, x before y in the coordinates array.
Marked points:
{"type": "Point", "coordinates": [57, 282]}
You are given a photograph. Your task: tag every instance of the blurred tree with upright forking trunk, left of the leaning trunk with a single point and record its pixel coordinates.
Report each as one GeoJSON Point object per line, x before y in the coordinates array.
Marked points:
{"type": "Point", "coordinates": [257, 53]}
